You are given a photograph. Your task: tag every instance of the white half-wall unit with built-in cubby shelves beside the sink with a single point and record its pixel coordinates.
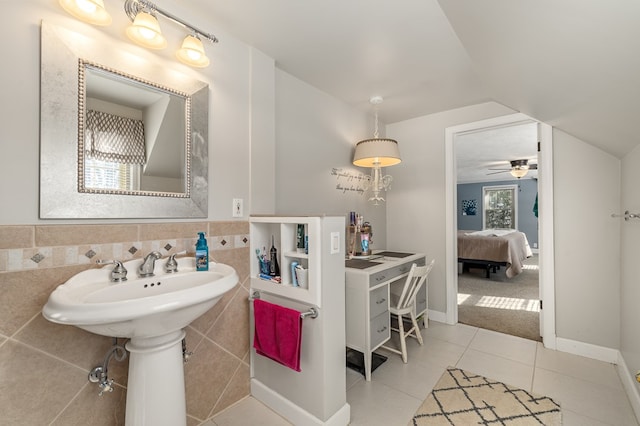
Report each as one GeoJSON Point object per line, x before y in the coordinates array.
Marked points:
{"type": "Point", "coordinates": [317, 394]}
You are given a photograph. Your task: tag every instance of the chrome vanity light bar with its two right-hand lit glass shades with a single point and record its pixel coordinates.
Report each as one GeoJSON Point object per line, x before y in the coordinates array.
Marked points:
{"type": "Point", "coordinates": [192, 51]}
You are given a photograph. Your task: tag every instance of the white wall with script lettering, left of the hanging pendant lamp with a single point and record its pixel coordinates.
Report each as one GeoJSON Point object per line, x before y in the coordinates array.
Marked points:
{"type": "Point", "coordinates": [316, 133]}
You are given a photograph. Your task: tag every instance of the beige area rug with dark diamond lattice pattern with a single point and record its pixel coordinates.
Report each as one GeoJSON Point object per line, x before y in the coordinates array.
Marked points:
{"type": "Point", "coordinates": [463, 398]}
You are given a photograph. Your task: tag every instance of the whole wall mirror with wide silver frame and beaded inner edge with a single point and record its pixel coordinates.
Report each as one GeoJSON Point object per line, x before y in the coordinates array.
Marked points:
{"type": "Point", "coordinates": [120, 138]}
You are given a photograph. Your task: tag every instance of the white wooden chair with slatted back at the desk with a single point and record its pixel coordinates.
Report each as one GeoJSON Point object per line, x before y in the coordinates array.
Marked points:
{"type": "Point", "coordinates": [403, 303]}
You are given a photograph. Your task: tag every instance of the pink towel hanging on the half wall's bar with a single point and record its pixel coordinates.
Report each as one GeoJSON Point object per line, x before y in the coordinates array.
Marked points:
{"type": "Point", "coordinates": [278, 333]}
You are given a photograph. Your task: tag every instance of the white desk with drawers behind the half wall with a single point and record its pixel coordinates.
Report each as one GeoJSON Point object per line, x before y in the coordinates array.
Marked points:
{"type": "Point", "coordinates": [367, 299]}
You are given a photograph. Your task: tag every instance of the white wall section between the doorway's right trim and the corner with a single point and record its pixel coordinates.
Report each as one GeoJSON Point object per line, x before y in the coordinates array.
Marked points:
{"type": "Point", "coordinates": [587, 242]}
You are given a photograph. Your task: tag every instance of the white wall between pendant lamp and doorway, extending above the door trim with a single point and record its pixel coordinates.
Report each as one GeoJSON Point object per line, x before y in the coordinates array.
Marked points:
{"type": "Point", "coordinates": [416, 204]}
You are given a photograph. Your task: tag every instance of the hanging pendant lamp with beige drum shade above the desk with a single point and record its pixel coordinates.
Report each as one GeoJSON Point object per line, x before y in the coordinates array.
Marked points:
{"type": "Point", "coordinates": [377, 153]}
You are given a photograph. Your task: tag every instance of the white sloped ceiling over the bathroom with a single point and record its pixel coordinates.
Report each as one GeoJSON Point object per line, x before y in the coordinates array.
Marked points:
{"type": "Point", "coordinates": [573, 64]}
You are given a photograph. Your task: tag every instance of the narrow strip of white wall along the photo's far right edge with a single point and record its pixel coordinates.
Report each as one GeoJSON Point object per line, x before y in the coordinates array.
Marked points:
{"type": "Point", "coordinates": [630, 288]}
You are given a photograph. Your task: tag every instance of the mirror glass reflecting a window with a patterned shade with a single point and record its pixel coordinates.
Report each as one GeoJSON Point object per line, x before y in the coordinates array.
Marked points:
{"type": "Point", "coordinates": [135, 123]}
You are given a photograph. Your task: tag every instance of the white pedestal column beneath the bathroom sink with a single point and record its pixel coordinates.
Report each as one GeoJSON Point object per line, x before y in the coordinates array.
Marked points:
{"type": "Point", "coordinates": [155, 390]}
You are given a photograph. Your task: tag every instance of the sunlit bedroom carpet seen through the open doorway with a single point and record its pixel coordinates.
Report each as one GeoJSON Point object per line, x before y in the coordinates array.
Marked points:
{"type": "Point", "coordinates": [507, 305]}
